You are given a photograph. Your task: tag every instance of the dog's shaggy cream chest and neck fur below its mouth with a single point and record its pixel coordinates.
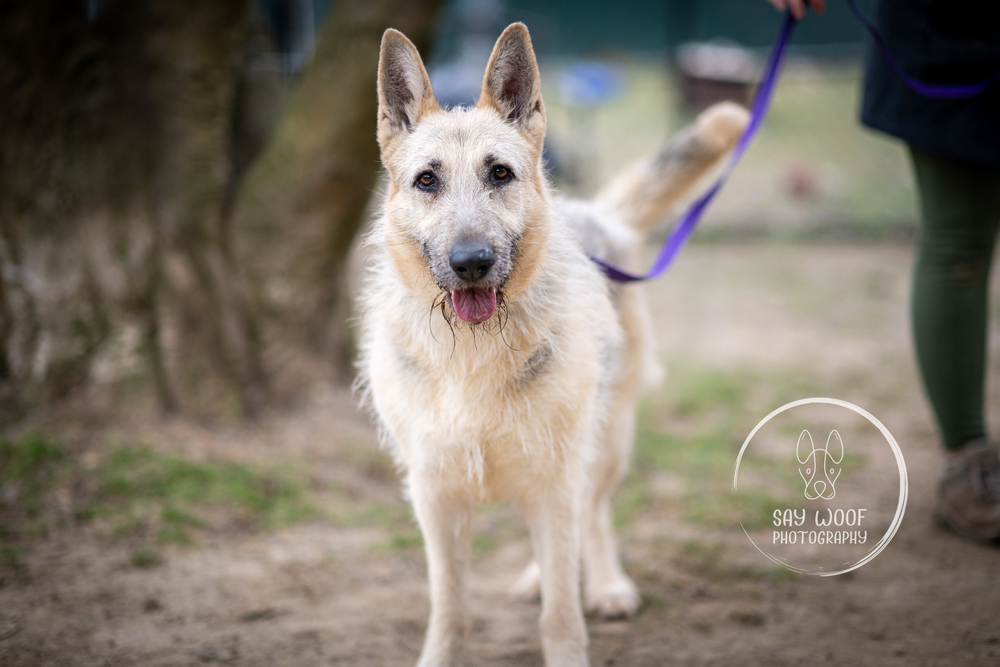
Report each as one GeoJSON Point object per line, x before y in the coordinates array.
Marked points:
{"type": "Point", "coordinates": [489, 408]}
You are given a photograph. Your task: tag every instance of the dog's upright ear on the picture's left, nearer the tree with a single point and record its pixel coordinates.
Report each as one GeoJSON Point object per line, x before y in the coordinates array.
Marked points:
{"type": "Point", "coordinates": [404, 89]}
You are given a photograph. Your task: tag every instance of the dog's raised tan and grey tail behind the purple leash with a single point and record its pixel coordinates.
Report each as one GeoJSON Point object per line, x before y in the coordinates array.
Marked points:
{"type": "Point", "coordinates": [643, 194]}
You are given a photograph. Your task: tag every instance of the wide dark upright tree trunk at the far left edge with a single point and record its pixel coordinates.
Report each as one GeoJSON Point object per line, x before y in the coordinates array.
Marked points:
{"type": "Point", "coordinates": [115, 260]}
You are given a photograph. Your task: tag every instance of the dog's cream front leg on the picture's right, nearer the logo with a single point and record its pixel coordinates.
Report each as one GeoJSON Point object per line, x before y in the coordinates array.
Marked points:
{"type": "Point", "coordinates": [554, 520]}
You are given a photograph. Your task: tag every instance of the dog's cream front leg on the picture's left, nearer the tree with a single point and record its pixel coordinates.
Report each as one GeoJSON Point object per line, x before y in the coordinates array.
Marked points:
{"type": "Point", "coordinates": [446, 523]}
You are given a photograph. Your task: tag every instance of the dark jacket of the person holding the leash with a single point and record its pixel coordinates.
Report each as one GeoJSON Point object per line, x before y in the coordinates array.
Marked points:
{"type": "Point", "coordinates": [937, 41]}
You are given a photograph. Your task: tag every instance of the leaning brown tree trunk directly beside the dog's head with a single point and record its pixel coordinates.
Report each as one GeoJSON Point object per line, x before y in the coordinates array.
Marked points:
{"type": "Point", "coordinates": [304, 199]}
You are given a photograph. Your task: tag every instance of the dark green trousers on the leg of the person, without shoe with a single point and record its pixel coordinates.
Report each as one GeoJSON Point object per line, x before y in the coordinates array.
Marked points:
{"type": "Point", "coordinates": [960, 210]}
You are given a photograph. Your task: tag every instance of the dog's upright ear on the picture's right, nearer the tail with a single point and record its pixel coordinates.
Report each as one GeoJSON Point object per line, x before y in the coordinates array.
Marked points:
{"type": "Point", "coordinates": [511, 84]}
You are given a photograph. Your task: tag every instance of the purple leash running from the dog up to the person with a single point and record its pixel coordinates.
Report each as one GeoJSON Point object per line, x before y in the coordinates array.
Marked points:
{"type": "Point", "coordinates": [758, 110]}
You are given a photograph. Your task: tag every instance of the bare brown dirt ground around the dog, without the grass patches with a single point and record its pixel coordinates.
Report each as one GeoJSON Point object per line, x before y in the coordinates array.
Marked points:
{"type": "Point", "coordinates": [348, 587]}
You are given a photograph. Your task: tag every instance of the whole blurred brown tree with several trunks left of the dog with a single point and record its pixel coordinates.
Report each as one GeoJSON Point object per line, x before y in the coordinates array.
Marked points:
{"type": "Point", "coordinates": [131, 254]}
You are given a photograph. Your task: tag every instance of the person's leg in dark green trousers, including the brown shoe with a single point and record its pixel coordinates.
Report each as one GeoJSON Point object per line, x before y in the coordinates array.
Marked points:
{"type": "Point", "coordinates": [960, 206]}
